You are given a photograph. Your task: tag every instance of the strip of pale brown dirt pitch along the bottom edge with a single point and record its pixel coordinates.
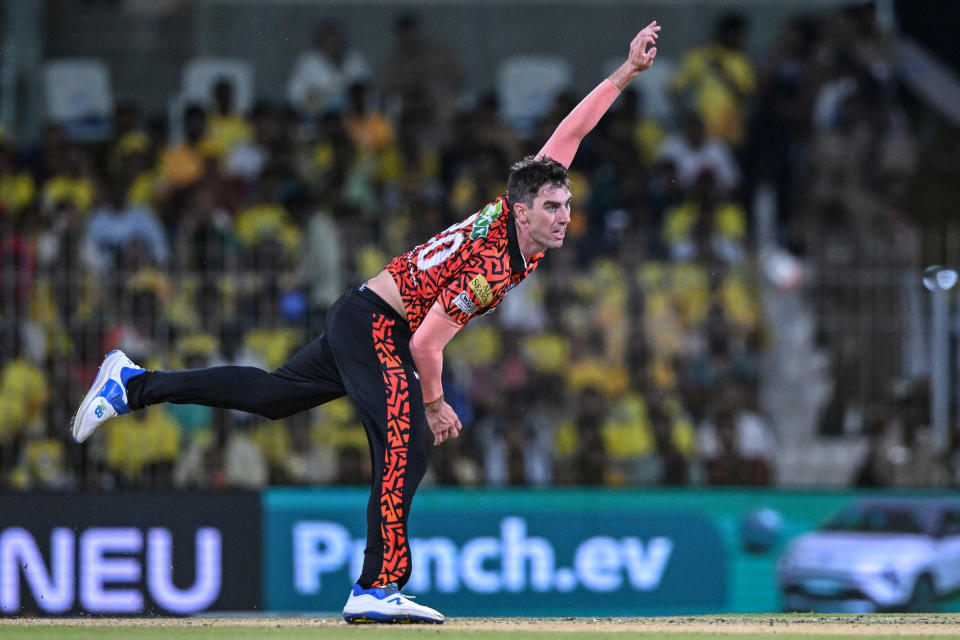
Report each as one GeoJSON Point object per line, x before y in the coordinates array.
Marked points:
{"type": "Point", "coordinates": [946, 625]}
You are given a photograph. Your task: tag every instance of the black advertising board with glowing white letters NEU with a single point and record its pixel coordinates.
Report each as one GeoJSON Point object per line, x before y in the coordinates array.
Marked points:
{"type": "Point", "coordinates": [129, 553]}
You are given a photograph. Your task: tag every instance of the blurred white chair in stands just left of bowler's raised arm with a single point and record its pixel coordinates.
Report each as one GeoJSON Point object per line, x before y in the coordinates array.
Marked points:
{"type": "Point", "coordinates": [527, 85]}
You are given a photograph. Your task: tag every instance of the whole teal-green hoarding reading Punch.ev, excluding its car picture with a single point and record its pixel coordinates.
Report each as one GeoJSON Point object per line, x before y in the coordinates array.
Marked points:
{"type": "Point", "coordinates": [548, 552]}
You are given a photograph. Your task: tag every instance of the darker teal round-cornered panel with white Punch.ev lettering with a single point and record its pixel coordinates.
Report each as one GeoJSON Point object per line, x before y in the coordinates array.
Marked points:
{"type": "Point", "coordinates": [513, 553]}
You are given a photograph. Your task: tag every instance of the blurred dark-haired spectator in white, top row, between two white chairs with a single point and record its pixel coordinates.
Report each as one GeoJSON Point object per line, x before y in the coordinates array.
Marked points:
{"type": "Point", "coordinates": [321, 75]}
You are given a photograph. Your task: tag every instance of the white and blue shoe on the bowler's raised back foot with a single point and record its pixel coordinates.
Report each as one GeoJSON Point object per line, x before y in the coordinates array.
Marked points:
{"type": "Point", "coordinates": [108, 395]}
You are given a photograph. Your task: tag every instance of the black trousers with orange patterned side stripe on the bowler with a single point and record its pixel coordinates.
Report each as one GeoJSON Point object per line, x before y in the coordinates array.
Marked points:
{"type": "Point", "coordinates": [365, 355]}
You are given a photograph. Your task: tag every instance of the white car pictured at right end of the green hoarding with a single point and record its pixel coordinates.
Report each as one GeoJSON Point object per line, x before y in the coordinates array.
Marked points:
{"type": "Point", "coordinates": [878, 554]}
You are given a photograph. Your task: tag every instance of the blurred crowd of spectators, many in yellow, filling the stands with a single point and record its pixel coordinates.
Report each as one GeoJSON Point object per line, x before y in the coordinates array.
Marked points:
{"type": "Point", "coordinates": [631, 357]}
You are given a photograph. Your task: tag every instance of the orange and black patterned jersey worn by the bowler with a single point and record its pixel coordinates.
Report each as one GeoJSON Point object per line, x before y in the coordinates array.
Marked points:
{"type": "Point", "coordinates": [467, 268]}
